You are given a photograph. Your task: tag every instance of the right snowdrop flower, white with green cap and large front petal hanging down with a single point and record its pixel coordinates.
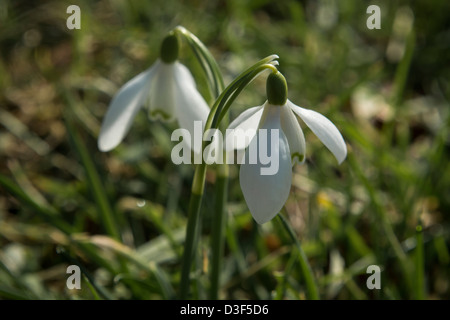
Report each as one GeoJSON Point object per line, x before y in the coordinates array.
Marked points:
{"type": "Point", "coordinates": [265, 195]}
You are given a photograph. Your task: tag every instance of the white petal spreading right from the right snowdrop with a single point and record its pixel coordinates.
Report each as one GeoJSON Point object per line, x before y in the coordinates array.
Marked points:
{"type": "Point", "coordinates": [324, 129]}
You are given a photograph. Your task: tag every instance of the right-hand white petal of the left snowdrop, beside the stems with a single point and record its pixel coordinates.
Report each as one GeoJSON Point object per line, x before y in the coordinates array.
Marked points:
{"type": "Point", "coordinates": [189, 107]}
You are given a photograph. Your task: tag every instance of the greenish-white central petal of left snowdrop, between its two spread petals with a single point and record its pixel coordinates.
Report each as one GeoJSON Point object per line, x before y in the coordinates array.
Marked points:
{"type": "Point", "coordinates": [161, 97]}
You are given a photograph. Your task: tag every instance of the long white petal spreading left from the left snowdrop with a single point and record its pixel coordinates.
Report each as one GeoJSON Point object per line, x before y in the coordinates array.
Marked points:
{"type": "Point", "coordinates": [123, 108]}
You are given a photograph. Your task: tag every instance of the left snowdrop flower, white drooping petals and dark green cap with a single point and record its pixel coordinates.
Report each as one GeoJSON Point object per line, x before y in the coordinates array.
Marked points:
{"type": "Point", "coordinates": [166, 90]}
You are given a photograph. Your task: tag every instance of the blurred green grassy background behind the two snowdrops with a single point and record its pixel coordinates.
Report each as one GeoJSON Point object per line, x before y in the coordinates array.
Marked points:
{"type": "Point", "coordinates": [121, 215]}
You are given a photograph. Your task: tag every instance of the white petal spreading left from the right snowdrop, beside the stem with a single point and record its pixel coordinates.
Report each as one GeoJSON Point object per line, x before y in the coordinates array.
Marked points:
{"type": "Point", "coordinates": [243, 129]}
